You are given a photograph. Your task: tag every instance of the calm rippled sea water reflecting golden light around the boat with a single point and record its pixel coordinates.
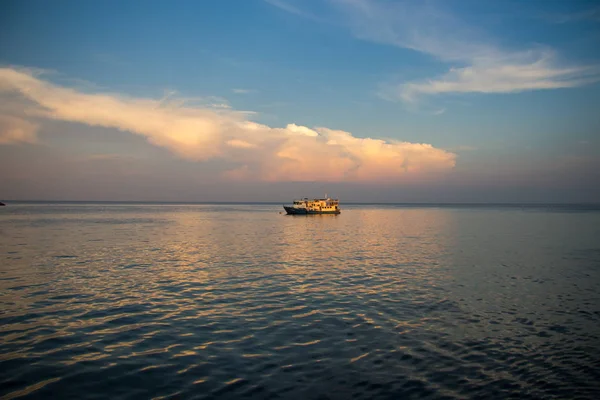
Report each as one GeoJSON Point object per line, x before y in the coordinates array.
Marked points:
{"type": "Point", "coordinates": [239, 301]}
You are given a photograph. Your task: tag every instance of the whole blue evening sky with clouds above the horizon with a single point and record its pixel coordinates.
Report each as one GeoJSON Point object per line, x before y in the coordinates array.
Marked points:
{"type": "Point", "coordinates": [270, 100]}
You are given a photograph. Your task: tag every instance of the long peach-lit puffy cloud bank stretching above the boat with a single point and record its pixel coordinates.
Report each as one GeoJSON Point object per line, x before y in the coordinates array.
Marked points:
{"type": "Point", "coordinates": [251, 151]}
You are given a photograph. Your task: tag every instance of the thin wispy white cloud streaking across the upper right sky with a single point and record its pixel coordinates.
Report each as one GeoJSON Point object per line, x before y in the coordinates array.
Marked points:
{"type": "Point", "coordinates": [477, 65]}
